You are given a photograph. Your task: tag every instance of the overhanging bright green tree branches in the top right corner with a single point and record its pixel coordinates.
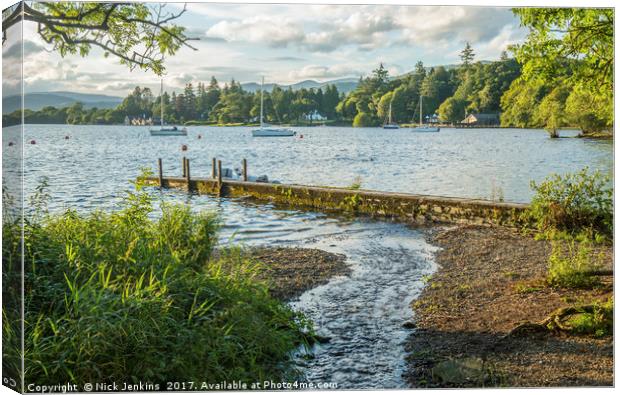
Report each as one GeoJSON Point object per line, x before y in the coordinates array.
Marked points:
{"type": "Point", "coordinates": [573, 46]}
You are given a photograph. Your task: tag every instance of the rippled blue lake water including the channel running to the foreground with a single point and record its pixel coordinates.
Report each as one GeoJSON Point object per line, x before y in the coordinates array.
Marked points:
{"type": "Point", "coordinates": [362, 313]}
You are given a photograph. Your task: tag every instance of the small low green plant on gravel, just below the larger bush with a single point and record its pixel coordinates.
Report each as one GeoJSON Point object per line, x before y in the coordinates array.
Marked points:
{"type": "Point", "coordinates": [572, 268]}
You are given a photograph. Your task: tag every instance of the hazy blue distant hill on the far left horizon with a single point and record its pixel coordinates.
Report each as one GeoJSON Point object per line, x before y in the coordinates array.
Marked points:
{"type": "Point", "coordinates": [38, 100]}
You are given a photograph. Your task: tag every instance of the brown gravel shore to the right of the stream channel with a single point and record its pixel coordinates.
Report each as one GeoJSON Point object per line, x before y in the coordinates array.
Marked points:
{"type": "Point", "coordinates": [489, 281]}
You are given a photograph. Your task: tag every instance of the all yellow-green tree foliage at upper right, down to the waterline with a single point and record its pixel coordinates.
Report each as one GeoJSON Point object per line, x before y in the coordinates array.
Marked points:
{"type": "Point", "coordinates": [569, 55]}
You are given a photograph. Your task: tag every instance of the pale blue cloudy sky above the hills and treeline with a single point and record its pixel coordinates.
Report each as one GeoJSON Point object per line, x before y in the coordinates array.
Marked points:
{"type": "Point", "coordinates": [285, 43]}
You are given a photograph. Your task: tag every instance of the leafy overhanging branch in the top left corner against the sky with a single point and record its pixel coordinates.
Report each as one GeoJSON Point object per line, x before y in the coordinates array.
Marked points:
{"type": "Point", "coordinates": [139, 34]}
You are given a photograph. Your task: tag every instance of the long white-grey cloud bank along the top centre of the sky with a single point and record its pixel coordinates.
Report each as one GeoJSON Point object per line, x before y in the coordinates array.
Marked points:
{"type": "Point", "coordinates": [367, 27]}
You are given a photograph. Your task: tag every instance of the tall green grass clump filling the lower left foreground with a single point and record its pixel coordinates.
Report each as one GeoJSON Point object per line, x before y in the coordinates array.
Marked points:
{"type": "Point", "coordinates": [121, 296]}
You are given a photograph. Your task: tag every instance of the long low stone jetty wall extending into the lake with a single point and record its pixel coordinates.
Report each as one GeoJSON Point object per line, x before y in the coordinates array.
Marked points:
{"type": "Point", "coordinates": [410, 208]}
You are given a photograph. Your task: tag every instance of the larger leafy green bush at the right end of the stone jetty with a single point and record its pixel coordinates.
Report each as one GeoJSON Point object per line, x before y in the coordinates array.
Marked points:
{"type": "Point", "coordinates": [576, 203]}
